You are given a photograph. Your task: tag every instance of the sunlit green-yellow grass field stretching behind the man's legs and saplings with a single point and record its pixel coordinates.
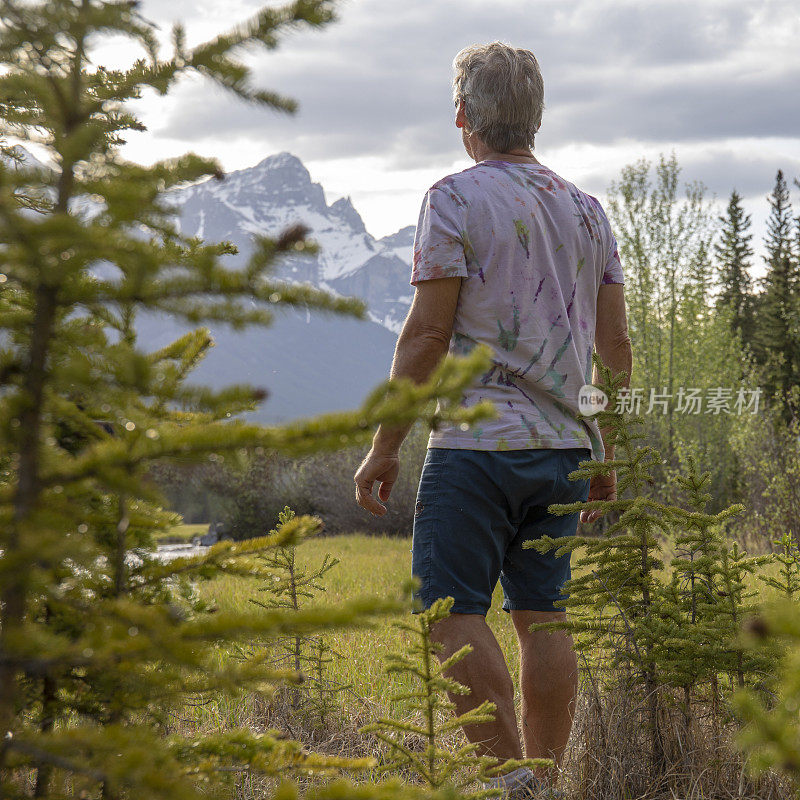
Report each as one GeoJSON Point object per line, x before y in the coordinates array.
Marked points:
{"type": "Point", "coordinates": [373, 566]}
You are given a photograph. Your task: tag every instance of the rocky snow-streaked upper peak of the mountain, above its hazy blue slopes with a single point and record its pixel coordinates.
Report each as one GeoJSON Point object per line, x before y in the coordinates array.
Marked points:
{"type": "Point", "coordinates": [279, 191]}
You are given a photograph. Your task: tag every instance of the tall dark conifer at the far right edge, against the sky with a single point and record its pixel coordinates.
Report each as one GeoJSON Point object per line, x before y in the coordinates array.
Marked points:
{"type": "Point", "coordinates": [778, 329]}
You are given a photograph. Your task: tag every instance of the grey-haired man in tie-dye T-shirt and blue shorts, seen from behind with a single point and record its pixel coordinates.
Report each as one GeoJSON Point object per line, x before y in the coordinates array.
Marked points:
{"type": "Point", "coordinates": [508, 254]}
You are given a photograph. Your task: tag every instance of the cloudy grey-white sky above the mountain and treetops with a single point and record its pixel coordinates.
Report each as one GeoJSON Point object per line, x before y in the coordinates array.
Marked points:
{"type": "Point", "coordinates": [715, 81]}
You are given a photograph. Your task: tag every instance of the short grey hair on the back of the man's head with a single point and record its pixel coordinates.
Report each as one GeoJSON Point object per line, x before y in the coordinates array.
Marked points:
{"type": "Point", "coordinates": [503, 94]}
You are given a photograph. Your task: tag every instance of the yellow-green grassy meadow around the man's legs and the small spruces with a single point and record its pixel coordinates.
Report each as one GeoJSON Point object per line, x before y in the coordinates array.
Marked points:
{"type": "Point", "coordinates": [378, 566]}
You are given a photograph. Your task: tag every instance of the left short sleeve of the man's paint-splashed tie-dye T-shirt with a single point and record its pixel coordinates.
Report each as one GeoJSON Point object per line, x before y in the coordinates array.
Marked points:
{"type": "Point", "coordinates": [438, 241]}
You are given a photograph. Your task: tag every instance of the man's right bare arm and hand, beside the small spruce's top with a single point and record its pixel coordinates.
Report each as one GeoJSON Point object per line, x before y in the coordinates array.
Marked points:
{"type": "Point", "coordinates": [613, 345]}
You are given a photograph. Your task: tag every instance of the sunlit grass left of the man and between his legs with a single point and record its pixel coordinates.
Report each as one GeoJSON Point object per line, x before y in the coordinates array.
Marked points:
{"type": "Point", "coordinates": [368, 566]}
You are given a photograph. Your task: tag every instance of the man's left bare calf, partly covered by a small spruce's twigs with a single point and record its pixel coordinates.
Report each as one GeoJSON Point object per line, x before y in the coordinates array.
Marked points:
{"type": "Point", "coordinates": [485, 672]}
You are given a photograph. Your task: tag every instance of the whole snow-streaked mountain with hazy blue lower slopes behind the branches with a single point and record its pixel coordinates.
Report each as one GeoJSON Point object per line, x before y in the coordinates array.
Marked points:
{"type": "Point", "coordinates": [309, 362]}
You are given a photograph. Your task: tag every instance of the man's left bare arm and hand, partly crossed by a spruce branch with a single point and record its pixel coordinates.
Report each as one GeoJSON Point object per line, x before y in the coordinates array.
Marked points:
{"type": "Point", "coordinates": [423, 342]}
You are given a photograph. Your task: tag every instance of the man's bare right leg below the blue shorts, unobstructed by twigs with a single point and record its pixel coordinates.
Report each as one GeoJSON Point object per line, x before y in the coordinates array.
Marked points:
{"type": "Point", "coordinates": [549, 685]}
